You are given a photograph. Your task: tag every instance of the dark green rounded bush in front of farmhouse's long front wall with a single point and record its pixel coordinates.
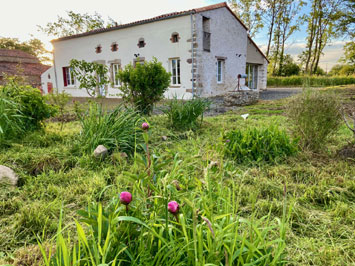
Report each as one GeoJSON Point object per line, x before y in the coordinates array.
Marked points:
{"type": "Point", "coordinates": [144, 84]}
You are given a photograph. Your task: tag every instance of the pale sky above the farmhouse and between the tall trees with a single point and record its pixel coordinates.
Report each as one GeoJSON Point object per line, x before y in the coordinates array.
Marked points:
{"type": "Point", "coordinates": [19, 19]}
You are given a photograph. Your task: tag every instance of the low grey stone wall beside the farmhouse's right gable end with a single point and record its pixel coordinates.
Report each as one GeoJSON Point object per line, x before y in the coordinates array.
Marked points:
{"type": "Point", "coordinates": [230, 100]}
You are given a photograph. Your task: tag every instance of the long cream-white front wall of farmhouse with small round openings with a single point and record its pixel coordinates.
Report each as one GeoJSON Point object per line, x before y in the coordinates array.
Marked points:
{"type": "Point", "coordinates": [157, 38]}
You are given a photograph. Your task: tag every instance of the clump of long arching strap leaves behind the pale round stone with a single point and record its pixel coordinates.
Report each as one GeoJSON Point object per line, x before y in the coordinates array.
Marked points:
{"type": "Point", "coordinates": [116, 129]}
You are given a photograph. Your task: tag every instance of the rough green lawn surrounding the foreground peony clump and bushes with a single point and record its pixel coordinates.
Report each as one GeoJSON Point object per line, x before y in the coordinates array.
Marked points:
{"type": "Point", "coordinates": [320, 187]}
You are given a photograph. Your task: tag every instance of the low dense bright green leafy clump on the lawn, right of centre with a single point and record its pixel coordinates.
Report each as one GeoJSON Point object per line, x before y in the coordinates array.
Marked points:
{"type": "Point", "coordinates": [258, 145]}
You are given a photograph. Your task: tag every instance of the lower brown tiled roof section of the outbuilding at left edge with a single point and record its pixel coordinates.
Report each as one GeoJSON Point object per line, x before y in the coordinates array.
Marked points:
{"type": "Point", "coordinates": [29, 69]}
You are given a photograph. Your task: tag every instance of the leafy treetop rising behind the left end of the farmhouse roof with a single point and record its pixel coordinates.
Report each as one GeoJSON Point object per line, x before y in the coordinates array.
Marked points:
{"type": "Point", "coordinates": [75, 23]}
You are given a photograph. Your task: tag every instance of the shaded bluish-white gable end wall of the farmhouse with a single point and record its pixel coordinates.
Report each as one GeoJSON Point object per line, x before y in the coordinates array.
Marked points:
{"type": "Point", "coordinates": [228, 38]}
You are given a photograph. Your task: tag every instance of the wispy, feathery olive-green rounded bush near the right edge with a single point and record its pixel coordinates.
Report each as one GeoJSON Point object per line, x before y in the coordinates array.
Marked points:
{"type": "Point", "coordinates": [315, 116]}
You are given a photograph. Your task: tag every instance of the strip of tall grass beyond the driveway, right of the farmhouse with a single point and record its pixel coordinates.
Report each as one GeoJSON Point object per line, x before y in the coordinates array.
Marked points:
{"type": "Point", "coordinates": [310, 81]}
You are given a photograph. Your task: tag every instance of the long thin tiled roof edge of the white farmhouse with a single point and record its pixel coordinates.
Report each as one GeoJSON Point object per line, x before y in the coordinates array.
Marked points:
{"type": "Point", "coordinates": [161, 17]}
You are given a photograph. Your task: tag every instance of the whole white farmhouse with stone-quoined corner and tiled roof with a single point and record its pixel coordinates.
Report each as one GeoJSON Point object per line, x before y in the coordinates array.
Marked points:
{"type": "Point", "coordinates": [204, 48]}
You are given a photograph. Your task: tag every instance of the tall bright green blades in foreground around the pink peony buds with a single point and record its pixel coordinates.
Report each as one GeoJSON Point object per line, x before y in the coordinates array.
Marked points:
{"type": "Point", "coordinates": [146, 235]}
